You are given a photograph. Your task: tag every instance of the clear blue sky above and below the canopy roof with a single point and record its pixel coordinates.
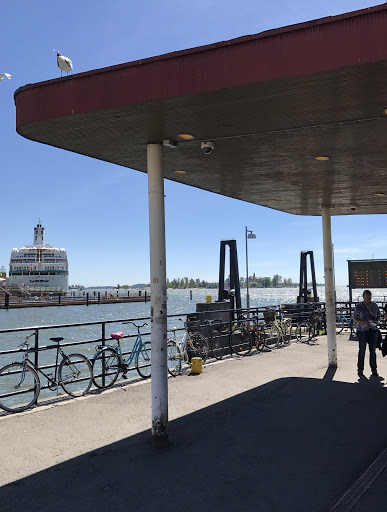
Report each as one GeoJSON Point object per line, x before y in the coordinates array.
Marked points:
{"type": "Point", "coordinates": [99, 211]}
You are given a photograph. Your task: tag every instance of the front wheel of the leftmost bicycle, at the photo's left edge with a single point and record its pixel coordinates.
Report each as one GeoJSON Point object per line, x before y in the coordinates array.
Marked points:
{"type": "Point", "coordinates": [18, 392]}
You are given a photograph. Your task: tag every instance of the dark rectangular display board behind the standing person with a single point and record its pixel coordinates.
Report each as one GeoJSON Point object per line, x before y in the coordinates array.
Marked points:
{"type": "Point", "coordinates": [367, 273]}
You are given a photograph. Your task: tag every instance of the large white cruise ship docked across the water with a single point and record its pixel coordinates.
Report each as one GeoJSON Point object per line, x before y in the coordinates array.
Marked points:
{"type": "Point", "coordinates": [40, 266]}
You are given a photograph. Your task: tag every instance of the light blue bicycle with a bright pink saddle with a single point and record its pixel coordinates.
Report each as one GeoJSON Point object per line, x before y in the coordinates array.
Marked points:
{"type": "Point", "coordinates": [109, 361]}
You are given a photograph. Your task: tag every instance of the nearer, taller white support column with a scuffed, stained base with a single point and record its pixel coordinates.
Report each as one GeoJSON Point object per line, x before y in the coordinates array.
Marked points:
{"type": "Point", "coordinates": [159, 384]}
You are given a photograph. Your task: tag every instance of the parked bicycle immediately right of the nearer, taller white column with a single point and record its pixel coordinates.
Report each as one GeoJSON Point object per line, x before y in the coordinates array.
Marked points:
{"type": "Point", "coordinates": [192, 344]}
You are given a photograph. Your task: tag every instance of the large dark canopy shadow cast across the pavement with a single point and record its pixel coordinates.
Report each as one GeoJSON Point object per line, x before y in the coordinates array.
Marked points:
{"type": "Point", "coordinates": [292, 444]}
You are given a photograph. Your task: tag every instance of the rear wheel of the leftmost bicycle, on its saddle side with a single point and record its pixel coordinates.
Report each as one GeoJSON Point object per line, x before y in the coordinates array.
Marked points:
{"type": "Point", "coordinates": [75, 374]}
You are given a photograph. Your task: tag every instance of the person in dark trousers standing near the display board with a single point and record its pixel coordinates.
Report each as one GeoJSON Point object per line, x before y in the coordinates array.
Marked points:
{"type": "Point", "coordinates": [367, 316]}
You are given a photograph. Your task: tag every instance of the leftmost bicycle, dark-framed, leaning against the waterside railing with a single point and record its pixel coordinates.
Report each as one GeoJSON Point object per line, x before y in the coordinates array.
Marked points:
{"type": "Point", "coordinates": [74, 375]}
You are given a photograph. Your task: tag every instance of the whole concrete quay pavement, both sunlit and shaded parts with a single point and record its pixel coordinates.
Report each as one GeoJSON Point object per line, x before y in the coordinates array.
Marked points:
{"type": "Point", "coordinates": [273, 431]}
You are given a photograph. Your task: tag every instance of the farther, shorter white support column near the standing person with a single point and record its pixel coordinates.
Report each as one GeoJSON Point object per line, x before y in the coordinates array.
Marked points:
{"type": "Point", "coordinates": [329, 286]}
